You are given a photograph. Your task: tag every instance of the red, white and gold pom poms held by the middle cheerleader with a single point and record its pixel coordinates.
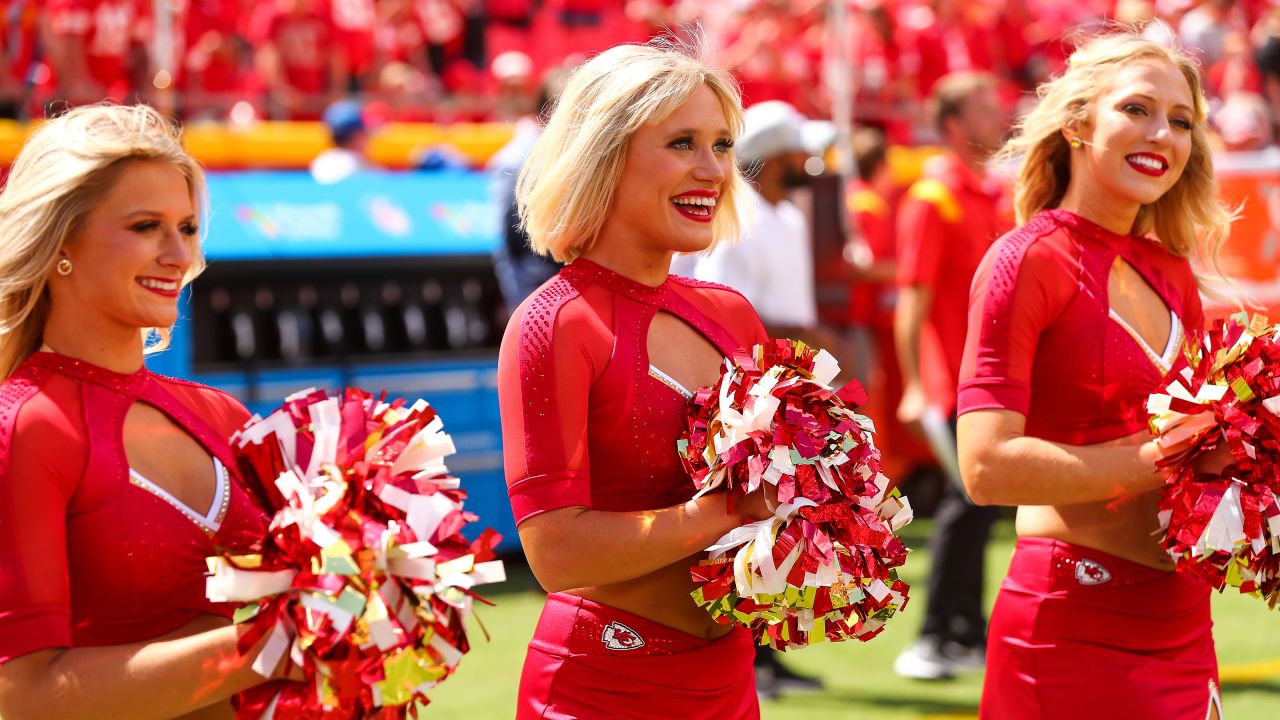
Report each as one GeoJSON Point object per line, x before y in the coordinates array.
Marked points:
{"type": "Point", "coordinates": [825, 566]}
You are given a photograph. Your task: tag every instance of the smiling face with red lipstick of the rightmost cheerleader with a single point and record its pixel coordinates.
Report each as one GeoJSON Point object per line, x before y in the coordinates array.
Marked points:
{"type": "Point", "coordinates": [1141, 136]}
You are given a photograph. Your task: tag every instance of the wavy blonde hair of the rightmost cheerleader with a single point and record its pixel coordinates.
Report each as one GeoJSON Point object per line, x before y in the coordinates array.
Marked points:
{"type": "Point", "coordinates": [1190, 216]}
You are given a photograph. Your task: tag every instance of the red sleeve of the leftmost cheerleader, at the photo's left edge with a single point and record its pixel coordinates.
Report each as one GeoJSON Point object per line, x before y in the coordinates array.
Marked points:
{"type": "Point", "coordinates": [36, 480]}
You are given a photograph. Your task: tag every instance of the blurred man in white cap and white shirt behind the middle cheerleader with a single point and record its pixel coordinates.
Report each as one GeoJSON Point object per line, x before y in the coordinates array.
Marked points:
{"type": "Point", "coordinates": [772, 263]}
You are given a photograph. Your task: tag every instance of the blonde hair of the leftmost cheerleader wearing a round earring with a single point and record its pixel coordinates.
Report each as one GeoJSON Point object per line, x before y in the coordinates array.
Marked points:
{"type": "Point", "coordinates": [65, 171]}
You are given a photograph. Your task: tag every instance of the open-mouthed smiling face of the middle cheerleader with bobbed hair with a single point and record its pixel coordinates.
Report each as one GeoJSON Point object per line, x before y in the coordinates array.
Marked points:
{"type": "Point", "coordinates": [673, 177]}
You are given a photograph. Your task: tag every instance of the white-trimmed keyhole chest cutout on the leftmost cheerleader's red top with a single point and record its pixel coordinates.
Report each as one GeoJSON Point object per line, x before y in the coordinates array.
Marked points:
{"type": "Point", "coordinates": [164, 455]}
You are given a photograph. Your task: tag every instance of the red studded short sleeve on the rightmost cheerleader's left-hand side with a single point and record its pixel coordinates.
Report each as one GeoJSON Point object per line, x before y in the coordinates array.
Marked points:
{"type": "Point", "coordinates": [1018, 291]}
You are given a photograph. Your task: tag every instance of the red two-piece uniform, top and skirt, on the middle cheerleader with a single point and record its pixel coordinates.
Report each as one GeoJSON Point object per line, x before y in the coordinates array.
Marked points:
{"type": "Point", "coordinates": [579, 394]}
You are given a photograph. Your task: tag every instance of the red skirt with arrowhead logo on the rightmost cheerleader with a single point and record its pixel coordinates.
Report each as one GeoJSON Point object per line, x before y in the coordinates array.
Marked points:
{"type": "Point", "coordinates": [1081, 634]}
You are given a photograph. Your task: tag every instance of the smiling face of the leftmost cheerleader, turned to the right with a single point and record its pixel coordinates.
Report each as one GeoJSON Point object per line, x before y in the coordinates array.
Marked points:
{"type": "Point", "coordinates": [130, 256]}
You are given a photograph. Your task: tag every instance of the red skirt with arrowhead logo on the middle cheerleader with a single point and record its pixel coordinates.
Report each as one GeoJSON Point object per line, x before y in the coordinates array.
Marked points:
{"type": "Point", "coordinates": [593, 662]}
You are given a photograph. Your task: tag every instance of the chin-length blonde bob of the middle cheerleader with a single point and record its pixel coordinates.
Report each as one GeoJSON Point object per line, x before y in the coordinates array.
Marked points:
{"type": "Point", "coordinates": [565, 190]}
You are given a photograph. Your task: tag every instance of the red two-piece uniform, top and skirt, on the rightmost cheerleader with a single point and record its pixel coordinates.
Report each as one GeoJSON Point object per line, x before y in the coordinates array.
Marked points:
{"type": "Point", "coordinates": [1076, 630]}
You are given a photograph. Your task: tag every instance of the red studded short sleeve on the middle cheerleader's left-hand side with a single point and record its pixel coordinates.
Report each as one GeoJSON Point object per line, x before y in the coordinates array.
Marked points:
{"type": "Point", "coordinates": [545, 377]}
